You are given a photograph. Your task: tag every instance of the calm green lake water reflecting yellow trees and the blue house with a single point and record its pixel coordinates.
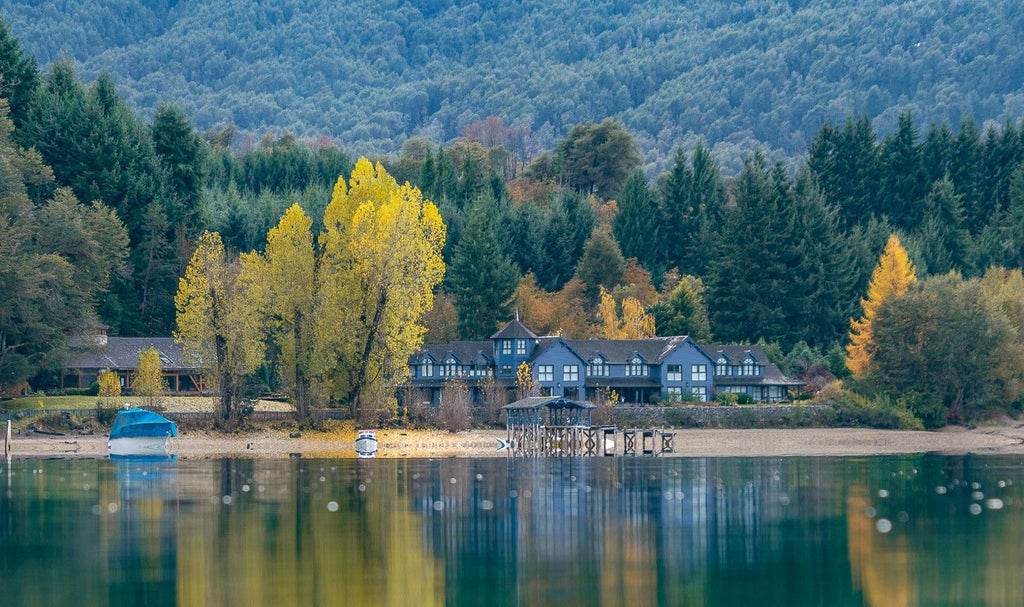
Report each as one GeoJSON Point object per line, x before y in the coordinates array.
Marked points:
{"type": "Point", "coordinates": [831, 532]}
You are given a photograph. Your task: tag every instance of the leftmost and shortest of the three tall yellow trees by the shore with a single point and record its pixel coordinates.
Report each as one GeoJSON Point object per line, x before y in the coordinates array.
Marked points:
{"type": "Point", "coordinates": [219, 322]}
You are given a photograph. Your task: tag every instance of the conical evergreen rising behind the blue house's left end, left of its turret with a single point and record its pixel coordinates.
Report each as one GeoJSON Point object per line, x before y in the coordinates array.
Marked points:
{"type": "Point", "coordinates": [482, 279]}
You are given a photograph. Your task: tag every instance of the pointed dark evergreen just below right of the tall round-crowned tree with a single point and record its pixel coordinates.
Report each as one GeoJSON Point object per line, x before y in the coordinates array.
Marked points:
{"type": "Point", "coordinates": [636, 227]}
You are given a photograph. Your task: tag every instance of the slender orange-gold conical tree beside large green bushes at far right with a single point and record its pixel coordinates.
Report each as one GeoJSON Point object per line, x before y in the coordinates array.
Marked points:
{"type": "Point", "coordinates": [891, 278]}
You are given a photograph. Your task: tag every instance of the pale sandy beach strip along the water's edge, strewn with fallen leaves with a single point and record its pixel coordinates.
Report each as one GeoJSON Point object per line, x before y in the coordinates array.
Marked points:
{"type": "Point", "coordinates": [278, 444]}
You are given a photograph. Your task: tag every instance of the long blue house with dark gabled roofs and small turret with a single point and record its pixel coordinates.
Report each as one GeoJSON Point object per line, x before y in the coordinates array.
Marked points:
{"type": "Point", "coordinates": [661, 369]}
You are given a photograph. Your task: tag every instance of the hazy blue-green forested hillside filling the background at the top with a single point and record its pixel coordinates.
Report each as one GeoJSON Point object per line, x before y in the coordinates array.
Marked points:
{"type": "Point", "coordinates": [371, 75]}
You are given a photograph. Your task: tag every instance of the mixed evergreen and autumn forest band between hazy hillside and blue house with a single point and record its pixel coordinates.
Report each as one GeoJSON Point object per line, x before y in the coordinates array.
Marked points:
{"type": "Point", "coordinates": [103, 208]}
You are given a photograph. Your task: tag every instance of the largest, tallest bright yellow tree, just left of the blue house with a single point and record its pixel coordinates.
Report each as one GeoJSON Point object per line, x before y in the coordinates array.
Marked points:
{"type": "Point", "coordinates": [380, 263]}
